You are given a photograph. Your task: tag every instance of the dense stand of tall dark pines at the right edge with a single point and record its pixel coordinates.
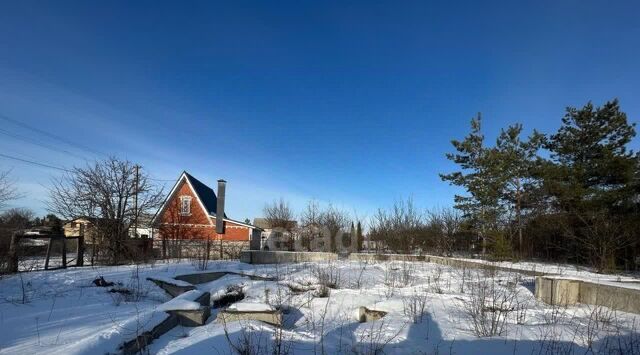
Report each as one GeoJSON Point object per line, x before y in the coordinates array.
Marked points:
{"type": "Point", "coordinates": [568, 196]}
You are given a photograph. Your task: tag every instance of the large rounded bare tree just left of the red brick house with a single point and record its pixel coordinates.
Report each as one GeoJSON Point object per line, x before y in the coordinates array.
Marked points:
{"type": "Point", "coordinates": [106, 191]}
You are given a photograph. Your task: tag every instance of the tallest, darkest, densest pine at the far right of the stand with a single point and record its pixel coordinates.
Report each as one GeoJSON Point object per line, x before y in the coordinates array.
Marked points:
{"type": "Point", "coordinates": [592, 178]}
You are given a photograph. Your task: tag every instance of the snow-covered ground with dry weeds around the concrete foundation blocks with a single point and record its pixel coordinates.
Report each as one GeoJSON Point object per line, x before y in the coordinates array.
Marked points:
{"type": "Point", "coordinates": [430, 309]}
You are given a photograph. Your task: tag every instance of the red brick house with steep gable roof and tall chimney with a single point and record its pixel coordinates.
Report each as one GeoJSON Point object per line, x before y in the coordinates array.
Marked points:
{"type": "Point", "coordinates": [189, 216]}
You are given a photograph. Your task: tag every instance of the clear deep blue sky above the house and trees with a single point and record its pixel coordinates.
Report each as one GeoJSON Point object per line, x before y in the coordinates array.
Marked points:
{"type": "Point", "coordinates": [353, 104]}
